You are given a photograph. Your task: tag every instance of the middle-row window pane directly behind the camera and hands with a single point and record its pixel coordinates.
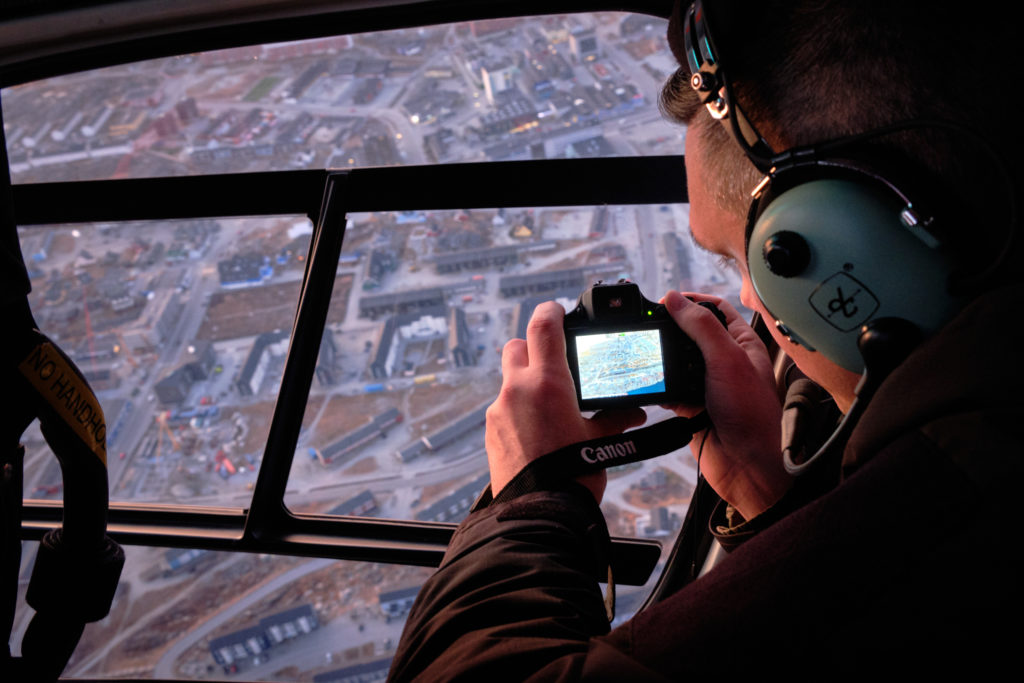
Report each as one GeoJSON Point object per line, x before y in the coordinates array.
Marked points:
{"type": "Point", "coordinates": [395, 422]}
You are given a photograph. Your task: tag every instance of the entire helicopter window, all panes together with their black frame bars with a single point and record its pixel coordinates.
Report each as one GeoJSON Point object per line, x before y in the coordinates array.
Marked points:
{"type": "Point", "coordinates": [284, 243]}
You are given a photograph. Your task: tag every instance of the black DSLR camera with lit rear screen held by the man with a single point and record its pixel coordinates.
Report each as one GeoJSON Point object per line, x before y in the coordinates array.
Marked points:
{"type": "Point", "coordinates": [625, 351]}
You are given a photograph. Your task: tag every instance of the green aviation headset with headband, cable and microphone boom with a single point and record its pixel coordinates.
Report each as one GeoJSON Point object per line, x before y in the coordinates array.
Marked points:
{"type": "Point", "coordinates": [846, 263]}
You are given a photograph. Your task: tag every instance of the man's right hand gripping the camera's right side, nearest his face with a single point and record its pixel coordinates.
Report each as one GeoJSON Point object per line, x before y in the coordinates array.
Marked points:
{"type": "Point", "coordinates": [742, 457]}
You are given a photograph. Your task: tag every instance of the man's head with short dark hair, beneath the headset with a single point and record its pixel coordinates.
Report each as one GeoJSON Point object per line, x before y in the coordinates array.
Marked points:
{"type": "Point", "coordinates": [809, 71]}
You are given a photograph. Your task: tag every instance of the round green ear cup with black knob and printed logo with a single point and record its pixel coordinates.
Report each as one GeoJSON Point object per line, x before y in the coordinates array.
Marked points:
{"type": "Point", "coordinates": [829, 255]}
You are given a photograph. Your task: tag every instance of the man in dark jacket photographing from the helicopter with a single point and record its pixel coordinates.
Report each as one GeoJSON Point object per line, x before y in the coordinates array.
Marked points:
{"type": "Point", "coordinates": [903, 562]}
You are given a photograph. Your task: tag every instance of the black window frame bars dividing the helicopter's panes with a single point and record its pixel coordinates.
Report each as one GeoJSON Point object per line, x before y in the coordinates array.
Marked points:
{"type": "Point", "coordinates": [326, 197]}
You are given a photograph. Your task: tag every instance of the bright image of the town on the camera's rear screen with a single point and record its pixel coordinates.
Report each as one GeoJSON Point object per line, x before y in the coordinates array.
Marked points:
{"type": "Point", "coordinates": [620, 364]}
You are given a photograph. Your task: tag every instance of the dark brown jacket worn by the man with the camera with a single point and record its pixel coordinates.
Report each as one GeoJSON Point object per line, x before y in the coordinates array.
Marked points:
{"type": "Point", "coordinates": [910, 565]}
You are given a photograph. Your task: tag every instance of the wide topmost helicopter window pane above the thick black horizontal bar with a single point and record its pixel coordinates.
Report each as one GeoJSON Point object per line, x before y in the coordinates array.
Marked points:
{"type": "Point", "coordinates": [491, 91]}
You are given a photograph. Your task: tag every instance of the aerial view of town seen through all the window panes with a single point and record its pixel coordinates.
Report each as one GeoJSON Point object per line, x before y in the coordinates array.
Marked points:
{"type": "Point", "coordinates": [183, 327]}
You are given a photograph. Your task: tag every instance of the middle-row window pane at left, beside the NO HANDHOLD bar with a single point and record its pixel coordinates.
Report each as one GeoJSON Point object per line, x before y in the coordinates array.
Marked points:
{"type": "Point", "coordinates": [182, 329]}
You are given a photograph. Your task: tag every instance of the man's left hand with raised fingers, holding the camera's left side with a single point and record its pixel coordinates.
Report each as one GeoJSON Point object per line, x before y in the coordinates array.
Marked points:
{"type": "Point", "coordinates": [536, 411]}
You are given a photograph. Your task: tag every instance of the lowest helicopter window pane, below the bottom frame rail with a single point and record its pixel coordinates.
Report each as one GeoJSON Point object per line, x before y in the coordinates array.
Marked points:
{"type": "Point", "coordinates": [198, 615]}
